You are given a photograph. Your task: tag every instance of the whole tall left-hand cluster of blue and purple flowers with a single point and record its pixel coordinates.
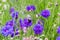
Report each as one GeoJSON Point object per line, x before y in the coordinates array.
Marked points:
{"type": "Point", "coordinates": [9, 27]}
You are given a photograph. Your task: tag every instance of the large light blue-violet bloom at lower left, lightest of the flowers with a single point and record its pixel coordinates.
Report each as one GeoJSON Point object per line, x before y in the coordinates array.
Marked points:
{"type": "Point", "coordinates": [7, 29]}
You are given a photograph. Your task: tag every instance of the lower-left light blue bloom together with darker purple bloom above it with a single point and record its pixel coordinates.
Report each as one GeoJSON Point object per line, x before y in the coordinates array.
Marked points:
{"type": "Point", "coordinates": [8, 28]}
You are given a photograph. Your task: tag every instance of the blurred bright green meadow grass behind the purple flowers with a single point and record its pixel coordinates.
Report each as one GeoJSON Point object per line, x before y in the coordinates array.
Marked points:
{"type": "Point", "coordinates": [20, 5]}
